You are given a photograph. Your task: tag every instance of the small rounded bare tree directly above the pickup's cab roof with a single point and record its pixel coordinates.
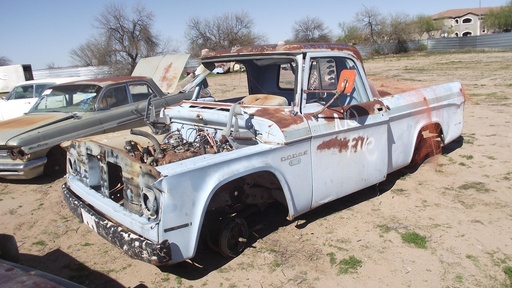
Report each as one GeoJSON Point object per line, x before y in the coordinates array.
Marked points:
{"type": "Point", "coordinates": [311, 29]}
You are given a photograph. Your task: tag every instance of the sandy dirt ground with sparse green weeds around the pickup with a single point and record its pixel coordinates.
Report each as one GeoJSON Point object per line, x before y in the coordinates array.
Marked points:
{"type": "Point", "coordinates": [458, 202]}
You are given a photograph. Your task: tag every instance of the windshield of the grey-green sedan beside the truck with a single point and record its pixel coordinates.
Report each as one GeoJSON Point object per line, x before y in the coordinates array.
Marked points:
{"type": "Point", "coordinates": [68, 98]}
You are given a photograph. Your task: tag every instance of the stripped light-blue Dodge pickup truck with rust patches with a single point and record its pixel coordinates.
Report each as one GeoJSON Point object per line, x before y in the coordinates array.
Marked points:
{"type": "Point", "coordinates": [307, 129]}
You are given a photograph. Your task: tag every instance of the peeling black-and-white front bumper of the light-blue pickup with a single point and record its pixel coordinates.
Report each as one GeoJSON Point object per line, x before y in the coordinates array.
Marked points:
{"type": "Point", "coordinates": [132, 244]}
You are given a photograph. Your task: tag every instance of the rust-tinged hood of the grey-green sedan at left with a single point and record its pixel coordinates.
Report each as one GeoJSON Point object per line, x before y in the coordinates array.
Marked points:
{"type": "Point", "coordinates": [20, 125]}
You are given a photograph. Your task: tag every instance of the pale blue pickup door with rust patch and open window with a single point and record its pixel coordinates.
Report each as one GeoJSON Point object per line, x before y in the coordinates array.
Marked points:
{"type": "Point", "coordinates": [349, 145]}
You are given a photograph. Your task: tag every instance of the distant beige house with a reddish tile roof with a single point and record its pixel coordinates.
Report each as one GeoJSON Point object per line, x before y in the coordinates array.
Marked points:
{"type": "Point", "coordinates": [462, 22]}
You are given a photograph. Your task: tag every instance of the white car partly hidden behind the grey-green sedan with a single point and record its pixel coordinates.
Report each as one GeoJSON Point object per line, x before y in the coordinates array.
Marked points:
{"type": "Point", "coordinates": [25, 94]}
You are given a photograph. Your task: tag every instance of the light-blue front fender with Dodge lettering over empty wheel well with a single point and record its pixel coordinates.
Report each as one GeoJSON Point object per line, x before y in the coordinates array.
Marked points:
{"type": "Point", "coordinates": [188, 192]}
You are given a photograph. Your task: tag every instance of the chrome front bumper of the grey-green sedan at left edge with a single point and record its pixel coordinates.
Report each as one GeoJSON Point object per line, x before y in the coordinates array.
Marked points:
{"type": "Point", "coordinates": [24, 170]}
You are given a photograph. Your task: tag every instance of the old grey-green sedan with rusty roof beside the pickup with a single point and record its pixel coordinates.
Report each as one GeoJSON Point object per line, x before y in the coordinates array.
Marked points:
{"type": "Point", "coordinates": [30, 144]}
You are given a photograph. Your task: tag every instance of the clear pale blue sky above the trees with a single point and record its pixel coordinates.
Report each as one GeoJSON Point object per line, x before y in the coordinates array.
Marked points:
{"type": "Point", "coordinates": [42, 32]}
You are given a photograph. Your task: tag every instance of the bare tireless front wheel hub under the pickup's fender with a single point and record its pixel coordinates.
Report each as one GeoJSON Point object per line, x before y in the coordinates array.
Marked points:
{"type": "Point", "coordinates": [233, 237]}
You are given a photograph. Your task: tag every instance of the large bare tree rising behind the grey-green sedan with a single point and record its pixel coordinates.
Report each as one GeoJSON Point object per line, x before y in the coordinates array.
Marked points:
{"type": "Point", "coordinates": [122, 41]}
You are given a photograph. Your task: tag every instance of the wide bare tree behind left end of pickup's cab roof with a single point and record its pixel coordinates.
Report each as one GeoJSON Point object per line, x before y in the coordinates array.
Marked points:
{"type": "Point", "coordinates": [225, 31]}
